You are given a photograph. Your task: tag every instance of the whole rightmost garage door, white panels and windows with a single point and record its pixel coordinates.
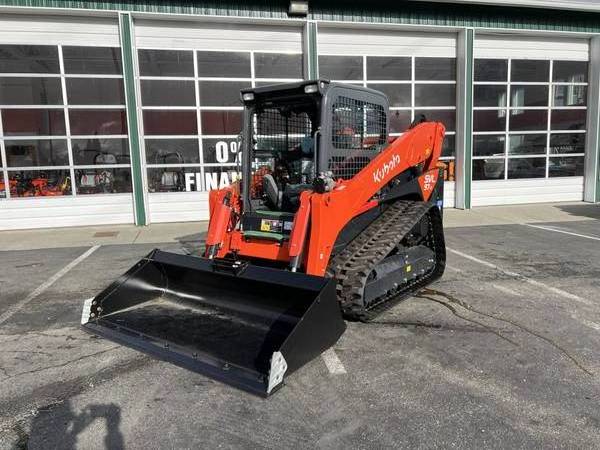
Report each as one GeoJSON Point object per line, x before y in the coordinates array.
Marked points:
{"type": "Point", "coordinates": [529, 119]}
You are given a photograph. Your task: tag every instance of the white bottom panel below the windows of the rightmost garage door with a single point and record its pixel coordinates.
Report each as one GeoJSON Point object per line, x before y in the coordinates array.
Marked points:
{"type": "Point", "coordinates": [487, 193]}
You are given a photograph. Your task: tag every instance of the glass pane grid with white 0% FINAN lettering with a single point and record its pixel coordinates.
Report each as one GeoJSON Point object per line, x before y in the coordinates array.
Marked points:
{"type": "Point", "coordinates": [192, 113]}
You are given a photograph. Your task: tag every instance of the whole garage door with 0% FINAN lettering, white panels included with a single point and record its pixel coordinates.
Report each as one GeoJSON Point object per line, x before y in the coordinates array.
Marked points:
{"type": "Point", "coordinates": [190, 76]}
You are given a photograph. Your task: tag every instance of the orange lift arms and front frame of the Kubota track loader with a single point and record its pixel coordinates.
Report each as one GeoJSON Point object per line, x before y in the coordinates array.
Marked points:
{"type": "Point", "coordinates": [331, 211]}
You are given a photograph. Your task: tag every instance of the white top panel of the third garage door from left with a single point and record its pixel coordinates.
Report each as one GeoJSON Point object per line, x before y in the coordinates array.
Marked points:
{"type": "Point", "coordinates": [385, 43]}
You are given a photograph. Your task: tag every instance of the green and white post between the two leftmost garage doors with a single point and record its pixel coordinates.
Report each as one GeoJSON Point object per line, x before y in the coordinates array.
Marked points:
{"type": "Point", "coordinates": [127, 54]}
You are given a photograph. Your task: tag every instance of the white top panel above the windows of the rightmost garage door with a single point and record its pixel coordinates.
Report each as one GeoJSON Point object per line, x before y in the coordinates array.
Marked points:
{"type": "Point", "coordinates": [530, 47]}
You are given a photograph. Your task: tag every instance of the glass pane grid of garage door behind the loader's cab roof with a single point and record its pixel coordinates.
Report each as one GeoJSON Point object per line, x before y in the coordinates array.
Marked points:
{"type": "Point", "coordinates": [414, 86]}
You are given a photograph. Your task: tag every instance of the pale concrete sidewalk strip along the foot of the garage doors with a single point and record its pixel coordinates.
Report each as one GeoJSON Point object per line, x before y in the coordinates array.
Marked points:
{"type": "Point", "coordinates": [192, 231]}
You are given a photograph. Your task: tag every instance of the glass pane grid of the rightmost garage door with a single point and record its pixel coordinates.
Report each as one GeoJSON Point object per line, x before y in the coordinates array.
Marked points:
{"type": "Point", "coordinates": [529, 118]}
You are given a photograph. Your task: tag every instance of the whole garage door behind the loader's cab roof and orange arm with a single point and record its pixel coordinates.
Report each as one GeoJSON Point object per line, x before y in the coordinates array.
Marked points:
{"type": "Point", "coordinates": [417, 71]}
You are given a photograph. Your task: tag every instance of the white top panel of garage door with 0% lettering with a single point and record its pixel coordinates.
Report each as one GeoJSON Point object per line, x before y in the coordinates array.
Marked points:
{"type": "Point", "coordinates": [216, 36]}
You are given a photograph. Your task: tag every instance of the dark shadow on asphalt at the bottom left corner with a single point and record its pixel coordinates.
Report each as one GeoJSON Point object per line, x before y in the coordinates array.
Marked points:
{"type": "Point", "coordinates": [58, 427]}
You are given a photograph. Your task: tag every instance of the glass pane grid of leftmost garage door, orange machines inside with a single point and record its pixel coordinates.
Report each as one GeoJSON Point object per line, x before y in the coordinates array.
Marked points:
{"type": "Point", "coordinates": [64, 129]}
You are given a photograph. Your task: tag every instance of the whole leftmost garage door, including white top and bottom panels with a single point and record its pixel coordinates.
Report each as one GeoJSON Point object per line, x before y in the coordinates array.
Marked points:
{"type": "Point", "coordinates": [63, 135]}
